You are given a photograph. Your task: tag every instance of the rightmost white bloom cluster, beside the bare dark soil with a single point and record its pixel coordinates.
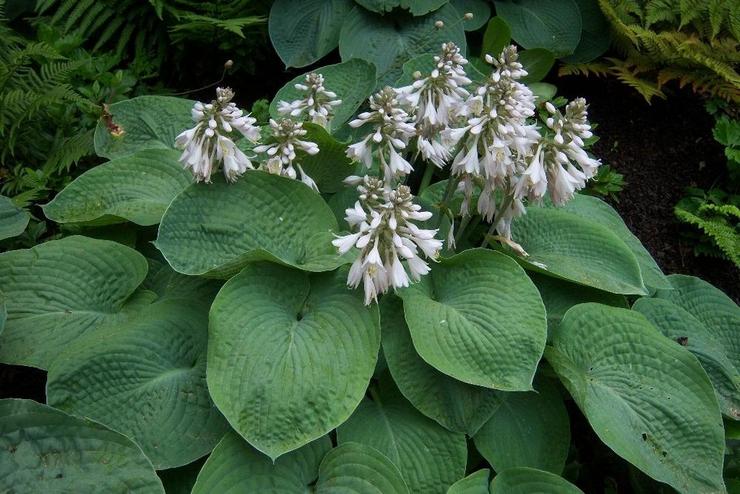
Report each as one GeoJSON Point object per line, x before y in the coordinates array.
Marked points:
{"type": "Point", "coordinates": [552, 167]}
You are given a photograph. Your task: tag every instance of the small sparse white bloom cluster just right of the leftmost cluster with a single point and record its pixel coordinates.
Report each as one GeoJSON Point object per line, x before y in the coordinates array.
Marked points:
{"type": "Point", "coordinates": [281, 151]}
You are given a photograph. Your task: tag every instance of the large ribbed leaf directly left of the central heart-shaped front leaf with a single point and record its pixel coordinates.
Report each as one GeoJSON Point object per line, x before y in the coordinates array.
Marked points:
{"type": "Point", "coordinates": [146, 379]}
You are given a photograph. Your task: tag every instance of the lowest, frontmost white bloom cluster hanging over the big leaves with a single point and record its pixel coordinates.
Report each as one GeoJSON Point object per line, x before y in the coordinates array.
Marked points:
{"type": "Point", "coordinates": [388, 240]}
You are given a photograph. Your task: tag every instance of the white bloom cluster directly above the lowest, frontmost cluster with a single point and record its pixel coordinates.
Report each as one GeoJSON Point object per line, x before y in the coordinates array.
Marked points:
{"type": "Point", "coordinates": [391, 134]}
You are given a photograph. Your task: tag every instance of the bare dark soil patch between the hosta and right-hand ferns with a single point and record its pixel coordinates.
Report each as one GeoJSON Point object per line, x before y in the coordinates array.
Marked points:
{"type": "Point", "coordinates": [661, 149]}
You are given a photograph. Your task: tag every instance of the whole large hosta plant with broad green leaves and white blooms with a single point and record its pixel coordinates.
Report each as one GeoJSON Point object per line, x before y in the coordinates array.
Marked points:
{"type": "Point", "coordinates": [390, 289]}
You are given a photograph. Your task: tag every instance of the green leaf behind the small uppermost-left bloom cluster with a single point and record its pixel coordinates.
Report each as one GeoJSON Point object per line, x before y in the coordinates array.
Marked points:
{"type": "Point", "coordinates": [353, 81]}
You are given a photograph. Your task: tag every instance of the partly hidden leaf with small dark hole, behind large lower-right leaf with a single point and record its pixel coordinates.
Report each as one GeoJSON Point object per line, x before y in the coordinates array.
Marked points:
{"type": "Point", "coordinates": [680, 326]}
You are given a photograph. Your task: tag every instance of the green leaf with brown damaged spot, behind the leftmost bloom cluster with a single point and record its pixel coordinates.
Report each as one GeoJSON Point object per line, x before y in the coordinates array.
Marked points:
{"type": "Point", "coordinates": [148, 122]}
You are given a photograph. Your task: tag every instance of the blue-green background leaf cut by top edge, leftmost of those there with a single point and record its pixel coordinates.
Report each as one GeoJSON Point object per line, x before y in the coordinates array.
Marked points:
{"type": "Point", "coordinates": [303, 31]}
